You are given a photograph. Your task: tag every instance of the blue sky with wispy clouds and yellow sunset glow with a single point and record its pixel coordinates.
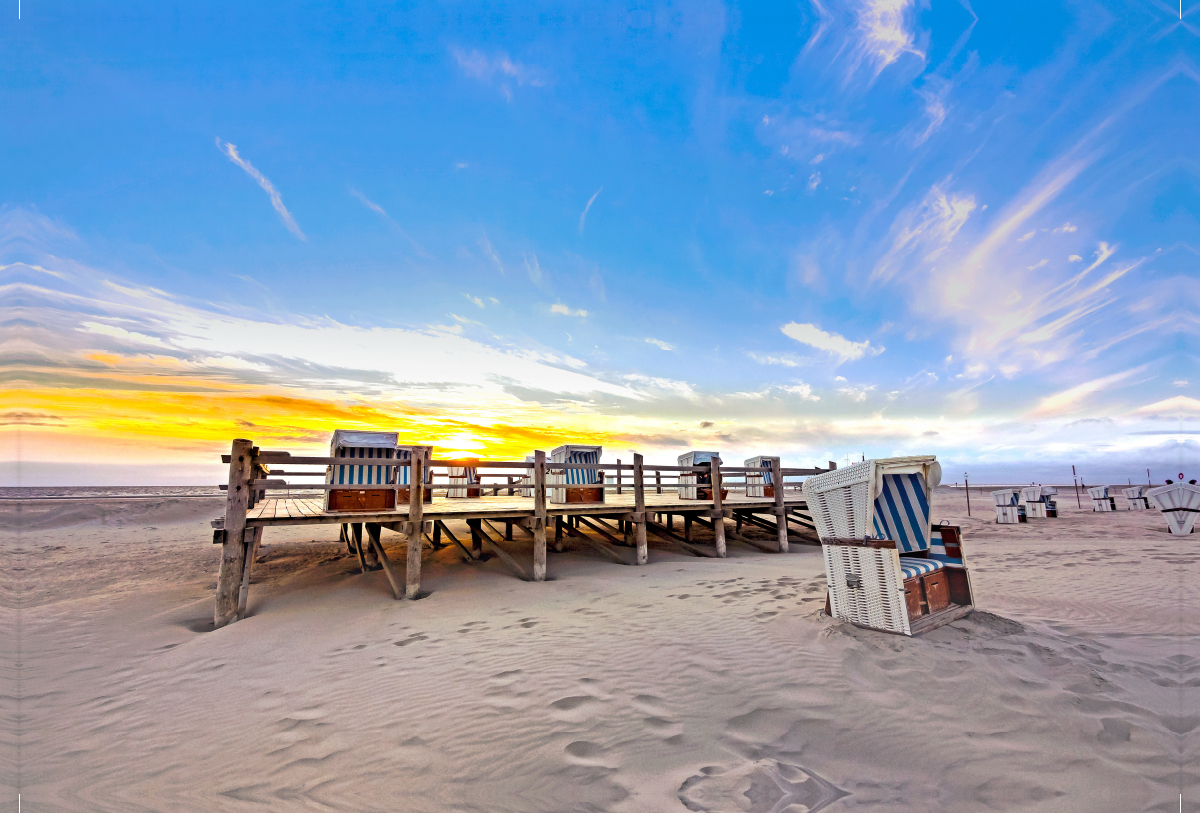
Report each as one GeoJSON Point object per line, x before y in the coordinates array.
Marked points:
{"type": "Point", "coordinates": [821, 231]}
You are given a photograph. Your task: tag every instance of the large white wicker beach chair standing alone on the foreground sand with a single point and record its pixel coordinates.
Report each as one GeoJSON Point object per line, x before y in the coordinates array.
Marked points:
{"type": "Point", "coordinates": [887, 567]}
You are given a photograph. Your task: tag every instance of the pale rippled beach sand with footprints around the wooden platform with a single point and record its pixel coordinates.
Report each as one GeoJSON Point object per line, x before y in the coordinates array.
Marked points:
{"type": "Point", "coordinates": [691, 684]}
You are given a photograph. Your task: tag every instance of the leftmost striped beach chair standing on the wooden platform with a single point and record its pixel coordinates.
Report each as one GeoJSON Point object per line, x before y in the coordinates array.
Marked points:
{"type": "Point", "coordinates": [369, 450]}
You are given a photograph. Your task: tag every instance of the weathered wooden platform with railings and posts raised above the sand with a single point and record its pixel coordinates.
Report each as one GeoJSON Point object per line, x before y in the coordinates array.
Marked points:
{"type": "Point", "coordinates": [634, 508]}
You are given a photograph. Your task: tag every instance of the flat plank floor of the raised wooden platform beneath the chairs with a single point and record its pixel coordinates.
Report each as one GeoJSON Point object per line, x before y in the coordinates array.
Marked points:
{"type": "Point", "coordinates": [293, 511]}
